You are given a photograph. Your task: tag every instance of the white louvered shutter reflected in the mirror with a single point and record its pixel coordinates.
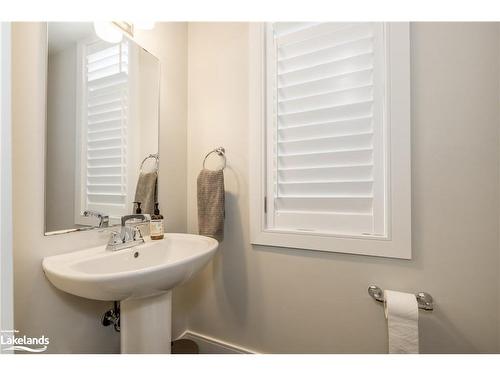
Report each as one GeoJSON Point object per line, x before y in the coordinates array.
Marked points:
{"type": "Point", "coordinates": [106, 116]}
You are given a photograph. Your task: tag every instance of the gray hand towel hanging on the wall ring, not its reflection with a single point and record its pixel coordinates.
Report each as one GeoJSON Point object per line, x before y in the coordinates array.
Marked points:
{"type": "Point", "coordinates": [211, 206]}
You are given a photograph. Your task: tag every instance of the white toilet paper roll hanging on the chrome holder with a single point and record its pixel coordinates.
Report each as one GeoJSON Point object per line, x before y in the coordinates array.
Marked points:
{"type": "Point", "coordinates": [401, 312]}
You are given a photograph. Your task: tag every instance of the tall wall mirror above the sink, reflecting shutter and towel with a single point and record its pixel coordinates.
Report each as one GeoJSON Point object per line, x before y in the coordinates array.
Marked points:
{"type": "Point", "coordinates": [102, 128]}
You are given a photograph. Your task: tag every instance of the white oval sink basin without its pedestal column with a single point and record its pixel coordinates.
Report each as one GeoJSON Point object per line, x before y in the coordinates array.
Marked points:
{"type": "Point", "coordinates": [140, 271]}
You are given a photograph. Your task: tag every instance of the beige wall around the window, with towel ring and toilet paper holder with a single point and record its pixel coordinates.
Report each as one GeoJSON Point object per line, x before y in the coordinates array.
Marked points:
{"type": "Point", "coordinates": [284, 300]}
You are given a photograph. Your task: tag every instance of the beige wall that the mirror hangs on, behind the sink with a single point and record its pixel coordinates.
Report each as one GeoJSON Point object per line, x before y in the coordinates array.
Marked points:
{"type": "Point", "coordinates": [73, 323]}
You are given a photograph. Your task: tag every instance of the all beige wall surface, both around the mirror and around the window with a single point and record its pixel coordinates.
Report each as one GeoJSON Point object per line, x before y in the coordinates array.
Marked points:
{"type": "Point", "coordinates": [285, 300]}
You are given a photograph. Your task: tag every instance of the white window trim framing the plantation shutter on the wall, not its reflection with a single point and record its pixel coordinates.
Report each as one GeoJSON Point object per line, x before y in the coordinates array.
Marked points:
{"type": "Point", "coordinates": [398, 242]}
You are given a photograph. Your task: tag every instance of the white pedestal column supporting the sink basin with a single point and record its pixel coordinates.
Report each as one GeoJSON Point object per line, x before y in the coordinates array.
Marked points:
{"type": "Point", "coordinates": [146, 325]}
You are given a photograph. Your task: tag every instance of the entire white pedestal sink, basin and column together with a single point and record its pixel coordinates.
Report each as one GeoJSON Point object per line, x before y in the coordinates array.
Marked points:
{"type": "Point", "coordinates": [141, 278]}
